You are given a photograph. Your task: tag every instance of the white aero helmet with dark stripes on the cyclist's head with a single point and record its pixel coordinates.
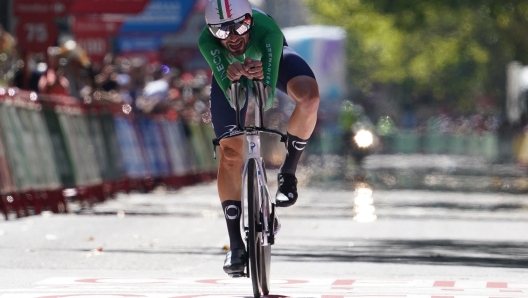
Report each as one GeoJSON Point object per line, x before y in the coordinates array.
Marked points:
{"type": "Point", "coordinates": [222, 11]}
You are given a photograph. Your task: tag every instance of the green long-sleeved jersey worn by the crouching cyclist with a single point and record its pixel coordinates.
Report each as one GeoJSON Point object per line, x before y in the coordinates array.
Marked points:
{"type": "Point", "coordinates": [265, 44]}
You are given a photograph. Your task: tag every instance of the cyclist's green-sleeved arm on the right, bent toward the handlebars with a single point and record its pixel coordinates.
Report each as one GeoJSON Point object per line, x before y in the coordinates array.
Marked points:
{"type": "Point", "coordinates": [272, 47]}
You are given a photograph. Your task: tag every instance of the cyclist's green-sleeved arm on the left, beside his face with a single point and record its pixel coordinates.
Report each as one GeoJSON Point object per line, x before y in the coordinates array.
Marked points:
{"type": "Point", "coordinates": [216, 57]}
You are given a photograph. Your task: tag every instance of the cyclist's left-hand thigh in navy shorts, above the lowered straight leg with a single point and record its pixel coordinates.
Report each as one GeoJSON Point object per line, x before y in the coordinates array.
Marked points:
{"type": "Point", "coordinates": [223, 116]}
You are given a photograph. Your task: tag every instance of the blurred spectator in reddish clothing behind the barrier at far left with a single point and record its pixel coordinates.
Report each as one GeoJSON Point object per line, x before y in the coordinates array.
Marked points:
{"type": "Point", "coordinates": [53, 80]}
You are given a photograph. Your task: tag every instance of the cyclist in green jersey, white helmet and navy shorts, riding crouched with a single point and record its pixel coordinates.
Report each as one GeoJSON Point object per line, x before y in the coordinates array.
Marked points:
{"type": "Point", "coordinates": [240, 41]}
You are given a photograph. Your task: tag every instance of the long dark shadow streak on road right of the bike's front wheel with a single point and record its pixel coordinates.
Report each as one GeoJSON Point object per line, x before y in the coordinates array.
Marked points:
{"type": "Point", "coordinates": [417, 252]}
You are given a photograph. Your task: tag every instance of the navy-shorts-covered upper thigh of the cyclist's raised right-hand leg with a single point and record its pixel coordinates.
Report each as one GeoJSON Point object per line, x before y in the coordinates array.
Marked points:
{"type": "Point", "coordinates": [291, 66]}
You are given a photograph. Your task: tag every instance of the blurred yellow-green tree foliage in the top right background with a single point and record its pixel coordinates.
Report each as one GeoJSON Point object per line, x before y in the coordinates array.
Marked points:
{"type": "Point", "coordinates": [450, 51]}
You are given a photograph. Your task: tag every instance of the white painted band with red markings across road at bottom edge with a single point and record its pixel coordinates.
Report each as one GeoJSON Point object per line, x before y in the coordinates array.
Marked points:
{"type": "Point", "coordinates": [162, 287]}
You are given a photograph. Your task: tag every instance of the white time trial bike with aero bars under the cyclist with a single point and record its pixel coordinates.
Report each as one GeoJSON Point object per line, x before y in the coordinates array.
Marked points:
{"type": "Point", "coordinates": [258, 222]}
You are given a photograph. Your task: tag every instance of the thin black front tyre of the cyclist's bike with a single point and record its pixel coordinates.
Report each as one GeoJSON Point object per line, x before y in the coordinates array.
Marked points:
{"type": "Point", "coordinates": [254, 244]}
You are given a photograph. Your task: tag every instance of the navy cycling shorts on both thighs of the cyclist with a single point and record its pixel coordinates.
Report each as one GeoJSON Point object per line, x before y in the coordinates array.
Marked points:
{"type": "Point", "coordinates": [223, 115]}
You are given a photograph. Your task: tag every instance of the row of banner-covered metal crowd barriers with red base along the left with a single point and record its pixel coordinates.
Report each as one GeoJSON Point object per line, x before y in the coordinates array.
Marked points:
{"type": "Point", "coordinates": [54, 150]}
